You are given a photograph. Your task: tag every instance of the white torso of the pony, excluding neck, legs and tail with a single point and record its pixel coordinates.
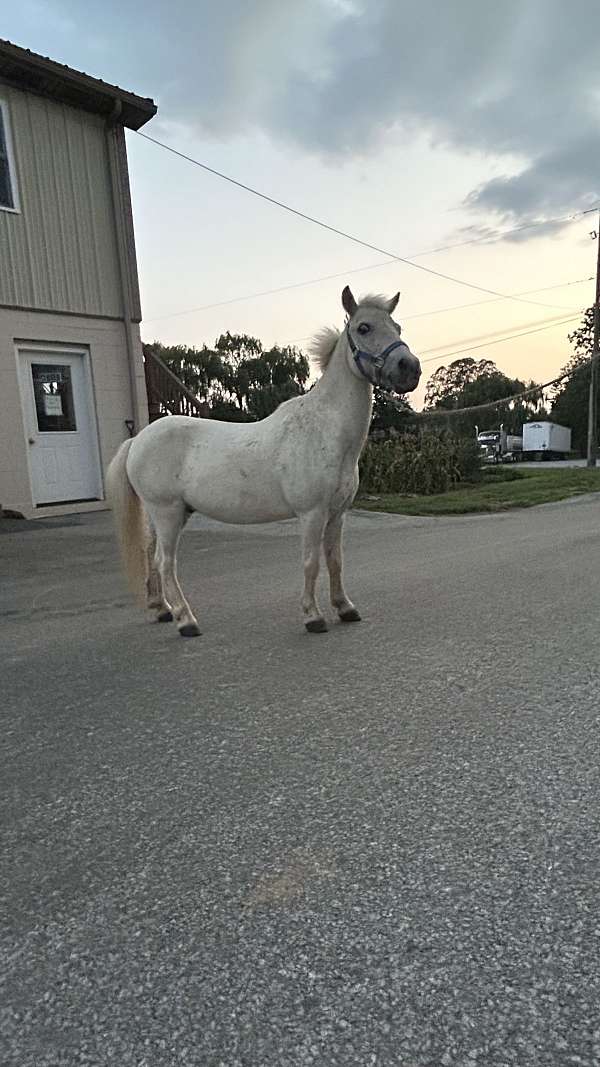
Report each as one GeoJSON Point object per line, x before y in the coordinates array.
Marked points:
{"type": "Point", "coordinates": [289, 464]}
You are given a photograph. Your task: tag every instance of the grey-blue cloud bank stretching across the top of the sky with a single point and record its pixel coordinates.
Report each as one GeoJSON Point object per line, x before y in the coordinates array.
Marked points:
{"type": "Point", "coordinates": [518, 82]}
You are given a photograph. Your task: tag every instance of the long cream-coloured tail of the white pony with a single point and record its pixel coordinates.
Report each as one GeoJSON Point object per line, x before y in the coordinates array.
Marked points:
{"type": "Point", "coordinates": [130, 519]}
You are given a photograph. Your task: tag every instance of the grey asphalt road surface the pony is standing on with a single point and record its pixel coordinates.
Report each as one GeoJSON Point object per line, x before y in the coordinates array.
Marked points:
{"type": "Point", "coordinates": [263, 848]}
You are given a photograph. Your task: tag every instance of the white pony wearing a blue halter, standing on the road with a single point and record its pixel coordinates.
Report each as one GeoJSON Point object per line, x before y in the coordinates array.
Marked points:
{"type": "Point", "coordinates": [302, 461]}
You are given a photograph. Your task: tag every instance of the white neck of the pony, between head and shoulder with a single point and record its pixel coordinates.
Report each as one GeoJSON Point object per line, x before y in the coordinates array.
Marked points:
{"type": "Point", "coordinates": [351, 396]}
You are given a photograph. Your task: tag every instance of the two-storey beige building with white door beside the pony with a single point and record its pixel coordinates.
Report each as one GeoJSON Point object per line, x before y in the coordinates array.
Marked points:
{"type": "Point", "coordinates": [72, 376]}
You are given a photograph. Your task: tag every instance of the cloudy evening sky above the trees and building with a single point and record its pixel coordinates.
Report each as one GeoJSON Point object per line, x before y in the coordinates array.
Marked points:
{"type": "Point", "coordinates": [412, 126]}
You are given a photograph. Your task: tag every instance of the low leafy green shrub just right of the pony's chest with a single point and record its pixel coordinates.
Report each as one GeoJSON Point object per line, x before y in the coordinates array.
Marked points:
{"type": "Point", "coordinates": [419, 466]}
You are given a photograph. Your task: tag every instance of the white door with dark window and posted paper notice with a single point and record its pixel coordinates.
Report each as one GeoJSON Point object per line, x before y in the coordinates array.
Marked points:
{"type": "Point", "coordinates": [60, 426]}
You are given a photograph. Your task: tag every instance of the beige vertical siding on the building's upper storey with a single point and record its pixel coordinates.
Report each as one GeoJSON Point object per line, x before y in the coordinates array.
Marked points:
{"type": "Point", "coordinates": [60, 252]}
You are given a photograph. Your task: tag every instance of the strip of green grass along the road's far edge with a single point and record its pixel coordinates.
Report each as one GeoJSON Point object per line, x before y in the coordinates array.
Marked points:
{"type": "Point", "coordinates": [502, 489]}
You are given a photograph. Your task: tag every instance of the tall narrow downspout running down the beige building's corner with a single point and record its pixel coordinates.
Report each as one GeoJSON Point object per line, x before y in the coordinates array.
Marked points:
{"type": "Point", "coordinates": [124, 267]}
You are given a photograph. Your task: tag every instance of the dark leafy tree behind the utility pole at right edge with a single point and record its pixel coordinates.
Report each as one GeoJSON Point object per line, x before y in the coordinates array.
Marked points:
{"type": "Point", "coordinates": [571, 407]}
